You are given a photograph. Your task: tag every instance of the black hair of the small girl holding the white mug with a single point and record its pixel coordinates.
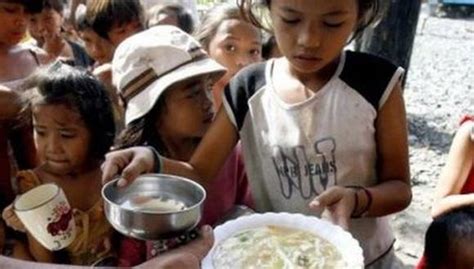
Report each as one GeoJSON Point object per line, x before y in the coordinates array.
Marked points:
{"type": "Point", "coordinates": [60, 83]}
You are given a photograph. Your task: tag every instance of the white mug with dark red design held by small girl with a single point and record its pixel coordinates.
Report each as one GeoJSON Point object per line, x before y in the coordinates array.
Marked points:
{"type": "Point", "coordinates": [47, 215]}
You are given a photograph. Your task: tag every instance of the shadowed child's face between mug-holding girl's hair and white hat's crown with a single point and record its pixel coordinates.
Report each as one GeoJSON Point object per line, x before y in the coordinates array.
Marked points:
{"type": "Point", "coordinates": [100, 49]}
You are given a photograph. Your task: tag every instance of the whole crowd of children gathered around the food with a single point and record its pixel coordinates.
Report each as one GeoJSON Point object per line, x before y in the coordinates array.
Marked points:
{"type": "Point", "coordinates": [156, 86]}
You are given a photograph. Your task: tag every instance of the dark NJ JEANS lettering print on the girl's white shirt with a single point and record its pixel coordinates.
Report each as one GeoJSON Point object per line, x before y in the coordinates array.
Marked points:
{"type": "Point", "coordinates": [304, 173]}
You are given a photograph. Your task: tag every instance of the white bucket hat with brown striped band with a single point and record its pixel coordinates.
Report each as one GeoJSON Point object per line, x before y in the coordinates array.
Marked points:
{"type": "Point", "coordinates": [148, 63]}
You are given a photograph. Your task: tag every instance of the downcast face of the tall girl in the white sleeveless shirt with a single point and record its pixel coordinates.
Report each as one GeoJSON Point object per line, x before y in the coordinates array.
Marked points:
{"type": "Point", "coordinates": [312, 33]}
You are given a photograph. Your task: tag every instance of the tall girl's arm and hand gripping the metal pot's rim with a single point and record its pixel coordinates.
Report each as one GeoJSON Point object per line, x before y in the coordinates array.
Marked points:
{"type": "Point", "coordinates": [204, 165]}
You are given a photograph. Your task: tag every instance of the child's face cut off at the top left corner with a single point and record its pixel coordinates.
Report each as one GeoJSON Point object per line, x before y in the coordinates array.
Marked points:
{"type": "Point", "coordinates": [14, 22]}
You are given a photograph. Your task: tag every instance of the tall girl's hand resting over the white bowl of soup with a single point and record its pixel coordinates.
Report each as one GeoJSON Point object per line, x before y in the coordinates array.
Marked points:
{"type": "Point", "coordinates": [339, 202]}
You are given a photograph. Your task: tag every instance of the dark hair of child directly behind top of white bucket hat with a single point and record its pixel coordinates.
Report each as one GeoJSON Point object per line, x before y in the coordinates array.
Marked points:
{"type": "Point", "coordinates": [185, 19]}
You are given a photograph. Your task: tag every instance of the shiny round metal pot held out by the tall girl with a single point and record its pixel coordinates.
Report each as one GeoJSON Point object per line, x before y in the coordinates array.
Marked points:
{"type": "Point", "coordinates": [149, 223]}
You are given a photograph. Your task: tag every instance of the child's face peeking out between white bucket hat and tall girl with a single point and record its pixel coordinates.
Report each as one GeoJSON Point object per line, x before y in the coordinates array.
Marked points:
{"type": "Point", "coordinates": [235, 45]}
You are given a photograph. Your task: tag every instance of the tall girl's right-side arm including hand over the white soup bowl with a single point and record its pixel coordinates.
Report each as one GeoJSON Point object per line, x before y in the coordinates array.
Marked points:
{"type": "Point", "coordinates": [393, 192]}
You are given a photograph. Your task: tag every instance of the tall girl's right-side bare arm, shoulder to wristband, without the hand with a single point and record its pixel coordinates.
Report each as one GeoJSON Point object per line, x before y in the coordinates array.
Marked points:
{"type": "Point", "coordinates": [393, 193]}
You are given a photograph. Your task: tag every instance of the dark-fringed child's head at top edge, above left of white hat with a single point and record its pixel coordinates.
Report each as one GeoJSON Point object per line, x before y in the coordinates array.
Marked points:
{"type": "Point", "coordinates": [116, 20]}
